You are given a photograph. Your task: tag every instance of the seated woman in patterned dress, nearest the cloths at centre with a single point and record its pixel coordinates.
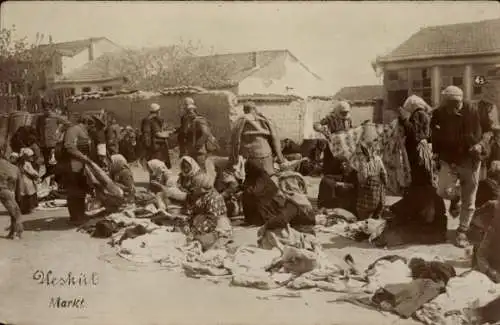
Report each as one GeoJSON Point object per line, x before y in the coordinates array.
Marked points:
{"type": "Point", "coordinates": [206, 208]}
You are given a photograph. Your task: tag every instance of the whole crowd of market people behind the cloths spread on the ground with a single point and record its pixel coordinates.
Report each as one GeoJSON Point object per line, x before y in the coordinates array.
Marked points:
{"type": "Point", "coordinates": [446, 149]}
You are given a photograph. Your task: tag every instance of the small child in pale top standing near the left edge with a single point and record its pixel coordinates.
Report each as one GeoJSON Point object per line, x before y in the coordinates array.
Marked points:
{"type": "Point", "coordinates": [27, 192]}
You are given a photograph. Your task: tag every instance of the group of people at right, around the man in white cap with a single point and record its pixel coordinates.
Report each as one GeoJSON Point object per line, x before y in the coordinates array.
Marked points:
{"type": "Point", "coordinates": [446, 149]}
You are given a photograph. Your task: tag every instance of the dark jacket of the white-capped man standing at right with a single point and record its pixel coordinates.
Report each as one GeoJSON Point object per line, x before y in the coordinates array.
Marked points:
{"type": "Point", "coordinates": [454, 134]}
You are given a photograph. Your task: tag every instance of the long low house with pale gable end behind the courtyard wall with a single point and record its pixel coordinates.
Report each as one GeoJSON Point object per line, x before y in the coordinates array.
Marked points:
{"type": "Point", "coordinates": [262, 72]}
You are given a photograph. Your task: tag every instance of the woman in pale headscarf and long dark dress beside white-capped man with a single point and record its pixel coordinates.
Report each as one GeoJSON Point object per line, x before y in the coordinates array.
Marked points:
{"type": "Point", "coordinates": [421, 210]}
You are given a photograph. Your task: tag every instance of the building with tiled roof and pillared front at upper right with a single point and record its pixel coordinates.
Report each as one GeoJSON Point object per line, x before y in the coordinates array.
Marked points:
{"type": "Point", "coordinates": [466, 55]}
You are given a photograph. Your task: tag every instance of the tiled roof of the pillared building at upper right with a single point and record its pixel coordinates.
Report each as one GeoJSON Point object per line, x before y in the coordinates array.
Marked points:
{"type": "Point", "coordinates": [482, 37]}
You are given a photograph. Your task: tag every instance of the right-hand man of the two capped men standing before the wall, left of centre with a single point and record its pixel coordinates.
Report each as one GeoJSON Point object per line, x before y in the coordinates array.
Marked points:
{"type": "Point", "coordinates": [195, 136]}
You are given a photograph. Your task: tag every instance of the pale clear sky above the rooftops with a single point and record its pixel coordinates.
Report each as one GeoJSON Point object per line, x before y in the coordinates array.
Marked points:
{"type": "Point", "coordinates": [336, 40]}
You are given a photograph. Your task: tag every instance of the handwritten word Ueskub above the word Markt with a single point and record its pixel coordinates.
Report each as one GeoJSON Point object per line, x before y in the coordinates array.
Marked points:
{"type": "Point", "coordinates": [70, 279]}
